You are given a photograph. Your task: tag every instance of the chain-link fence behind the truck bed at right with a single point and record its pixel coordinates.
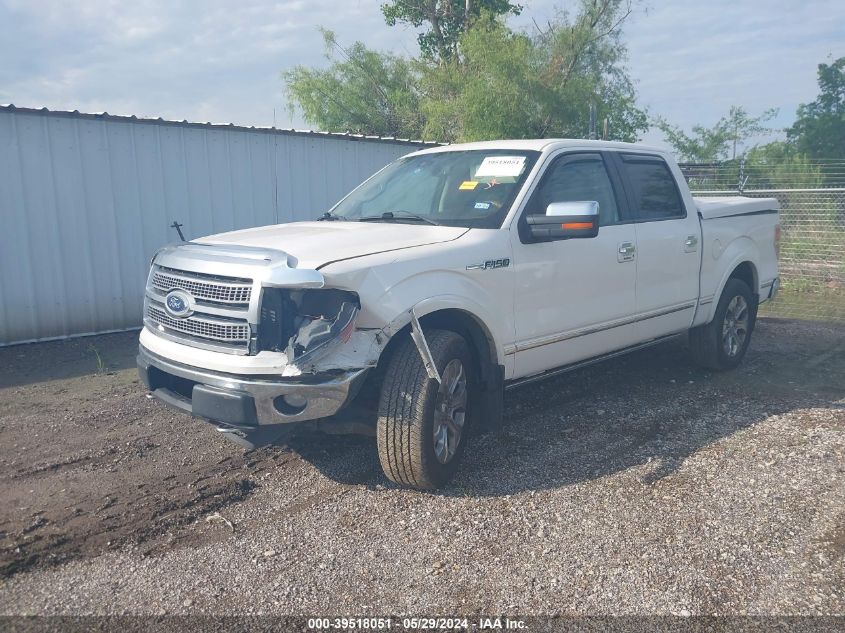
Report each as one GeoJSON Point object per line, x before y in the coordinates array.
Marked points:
{"type": "Point", "coordinates": [812, 218]}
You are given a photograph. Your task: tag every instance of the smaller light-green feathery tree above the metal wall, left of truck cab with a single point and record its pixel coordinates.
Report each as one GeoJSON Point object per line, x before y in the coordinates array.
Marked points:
{"type": "Point", "coordinates": [363, 91]}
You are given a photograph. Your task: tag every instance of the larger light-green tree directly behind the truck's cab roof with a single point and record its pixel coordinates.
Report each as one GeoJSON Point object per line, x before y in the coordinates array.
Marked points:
{"type": "Point", "coordinates": [518, 85]}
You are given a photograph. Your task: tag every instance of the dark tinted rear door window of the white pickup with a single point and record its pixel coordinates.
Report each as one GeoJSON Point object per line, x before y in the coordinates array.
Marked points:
{"type": "Point", "coordinates": [655, 193]}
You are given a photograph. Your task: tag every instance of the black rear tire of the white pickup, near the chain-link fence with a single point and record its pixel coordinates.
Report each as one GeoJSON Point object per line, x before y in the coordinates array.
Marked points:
{"type": "Point", "coordinates": [707, 342]}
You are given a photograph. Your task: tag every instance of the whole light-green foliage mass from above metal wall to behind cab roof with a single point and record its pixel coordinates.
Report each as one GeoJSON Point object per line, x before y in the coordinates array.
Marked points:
{"type": "Point", "coordinates": [503, 84]}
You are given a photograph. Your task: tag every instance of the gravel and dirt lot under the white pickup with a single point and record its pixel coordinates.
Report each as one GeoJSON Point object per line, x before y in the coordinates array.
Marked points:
{"type": "Point", "coordinates": [642, 485]}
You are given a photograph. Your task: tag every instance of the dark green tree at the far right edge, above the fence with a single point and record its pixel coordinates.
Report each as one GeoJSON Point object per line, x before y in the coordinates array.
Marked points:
{"type": "Point", "coordinates": [819, 130]}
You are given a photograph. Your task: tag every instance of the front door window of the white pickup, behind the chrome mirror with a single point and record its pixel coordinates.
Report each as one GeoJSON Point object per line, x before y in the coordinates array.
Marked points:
{"type": "Point", "coordinates": [575, 179]}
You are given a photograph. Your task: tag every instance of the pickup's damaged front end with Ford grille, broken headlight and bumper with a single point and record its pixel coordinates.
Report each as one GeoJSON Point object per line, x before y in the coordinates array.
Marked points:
{"type": "Point", "coordinates": [241, 337]}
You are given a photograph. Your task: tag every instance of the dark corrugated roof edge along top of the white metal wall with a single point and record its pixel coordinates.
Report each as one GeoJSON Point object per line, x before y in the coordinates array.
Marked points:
{"type": "Point", "coordinates": [105, 116]}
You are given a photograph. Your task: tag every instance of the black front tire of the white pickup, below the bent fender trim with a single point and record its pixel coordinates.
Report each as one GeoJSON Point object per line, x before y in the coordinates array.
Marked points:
{"type": "Point", "coordinates": [406, 420]}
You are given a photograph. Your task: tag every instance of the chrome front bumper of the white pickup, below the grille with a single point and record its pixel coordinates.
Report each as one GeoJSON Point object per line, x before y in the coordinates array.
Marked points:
{"type": "Point", "coordinates": [242, 402]}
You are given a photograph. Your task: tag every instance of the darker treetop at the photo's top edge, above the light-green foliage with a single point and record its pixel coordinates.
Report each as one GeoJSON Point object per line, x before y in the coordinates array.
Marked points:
{"type": "Point", "coordinates": [446, 21]}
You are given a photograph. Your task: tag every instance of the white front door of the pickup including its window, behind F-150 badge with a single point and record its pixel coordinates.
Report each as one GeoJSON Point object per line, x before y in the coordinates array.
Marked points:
{"type": "Point", "coordinates": [574, 297]}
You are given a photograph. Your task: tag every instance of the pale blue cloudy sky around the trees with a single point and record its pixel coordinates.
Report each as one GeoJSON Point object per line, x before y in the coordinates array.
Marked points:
{"type": "Point", "coordinates": [221, 61]}
